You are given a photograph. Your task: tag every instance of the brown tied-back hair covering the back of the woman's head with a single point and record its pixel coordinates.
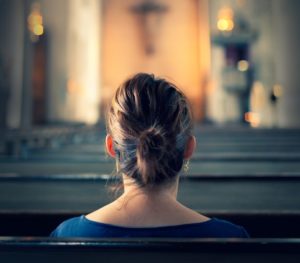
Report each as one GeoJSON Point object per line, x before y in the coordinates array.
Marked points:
{"type": "Point", "coordinates": [150, 122]}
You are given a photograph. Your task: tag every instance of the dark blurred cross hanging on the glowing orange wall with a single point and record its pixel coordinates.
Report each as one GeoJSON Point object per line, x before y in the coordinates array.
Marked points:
{"type": "Point", "coordinates": [150, 13]}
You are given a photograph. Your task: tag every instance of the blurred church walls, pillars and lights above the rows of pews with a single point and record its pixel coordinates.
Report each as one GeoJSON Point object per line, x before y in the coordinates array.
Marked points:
{"type": "Point", "coordinates": [236, 60]}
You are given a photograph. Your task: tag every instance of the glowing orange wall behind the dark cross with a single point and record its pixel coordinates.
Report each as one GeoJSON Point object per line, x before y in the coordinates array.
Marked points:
{"type": "Point", "coordinates": [181, 46]}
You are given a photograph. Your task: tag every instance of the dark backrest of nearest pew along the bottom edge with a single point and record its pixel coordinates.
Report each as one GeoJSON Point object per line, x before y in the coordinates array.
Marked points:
{"type": "Point", "coordinates": [46, 250]}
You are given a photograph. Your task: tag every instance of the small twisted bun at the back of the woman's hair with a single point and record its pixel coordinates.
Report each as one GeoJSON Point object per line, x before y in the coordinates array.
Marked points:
{"type": "Point", "coordinates": [151, 144]}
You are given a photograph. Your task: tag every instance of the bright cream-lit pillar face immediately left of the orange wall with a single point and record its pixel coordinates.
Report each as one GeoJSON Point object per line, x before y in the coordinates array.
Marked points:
{"type": "Point", "coordinates": [83, 61]}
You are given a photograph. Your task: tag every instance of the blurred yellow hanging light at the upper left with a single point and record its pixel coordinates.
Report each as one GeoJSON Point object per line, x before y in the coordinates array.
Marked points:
{"type": "Point", "coordinates": [35, 22]}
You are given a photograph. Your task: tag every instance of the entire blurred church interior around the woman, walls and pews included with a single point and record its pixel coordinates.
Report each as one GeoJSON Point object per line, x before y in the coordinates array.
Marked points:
{"type": "Point", "coordinates": [236, 60]}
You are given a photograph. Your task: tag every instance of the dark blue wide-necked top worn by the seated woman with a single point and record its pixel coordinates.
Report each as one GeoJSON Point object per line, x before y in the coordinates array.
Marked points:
{"type": "Point", "coordinates": [83, 227]}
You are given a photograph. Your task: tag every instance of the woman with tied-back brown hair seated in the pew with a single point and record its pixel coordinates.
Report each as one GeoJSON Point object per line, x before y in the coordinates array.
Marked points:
{"type": "Point", "coordinates": [149, 128]}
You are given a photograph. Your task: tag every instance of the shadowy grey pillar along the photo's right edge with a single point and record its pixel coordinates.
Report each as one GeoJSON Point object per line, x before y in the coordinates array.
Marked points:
{"type": "Point", "coordinates": [286, 45]}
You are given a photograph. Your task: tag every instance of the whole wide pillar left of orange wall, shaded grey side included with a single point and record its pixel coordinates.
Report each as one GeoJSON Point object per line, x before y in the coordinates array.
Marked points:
{"type": "Point", "coordinates": [74, 29]}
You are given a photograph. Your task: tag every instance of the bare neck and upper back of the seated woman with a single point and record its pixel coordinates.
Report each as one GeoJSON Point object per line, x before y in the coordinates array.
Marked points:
{"type": "Point", "coordinates": [144, 207]}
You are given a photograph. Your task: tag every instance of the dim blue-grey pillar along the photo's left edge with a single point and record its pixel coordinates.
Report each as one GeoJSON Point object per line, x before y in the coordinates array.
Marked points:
{"type": "Point", "coordinates": [11, 53]}
